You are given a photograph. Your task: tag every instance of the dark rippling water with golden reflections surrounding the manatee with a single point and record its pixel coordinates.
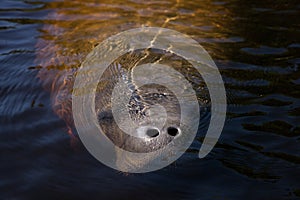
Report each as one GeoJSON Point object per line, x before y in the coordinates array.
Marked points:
{"type": "Point", "coordinates": [256, 47]}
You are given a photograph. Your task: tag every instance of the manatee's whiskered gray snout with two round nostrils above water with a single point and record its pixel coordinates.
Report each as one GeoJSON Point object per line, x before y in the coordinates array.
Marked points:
{"type": "Point", "coordinates": [146, 143]}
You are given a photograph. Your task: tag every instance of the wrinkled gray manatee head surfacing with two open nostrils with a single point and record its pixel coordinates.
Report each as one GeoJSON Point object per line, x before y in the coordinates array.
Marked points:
{"type": "Point", "coordinates": [152, 119]}
